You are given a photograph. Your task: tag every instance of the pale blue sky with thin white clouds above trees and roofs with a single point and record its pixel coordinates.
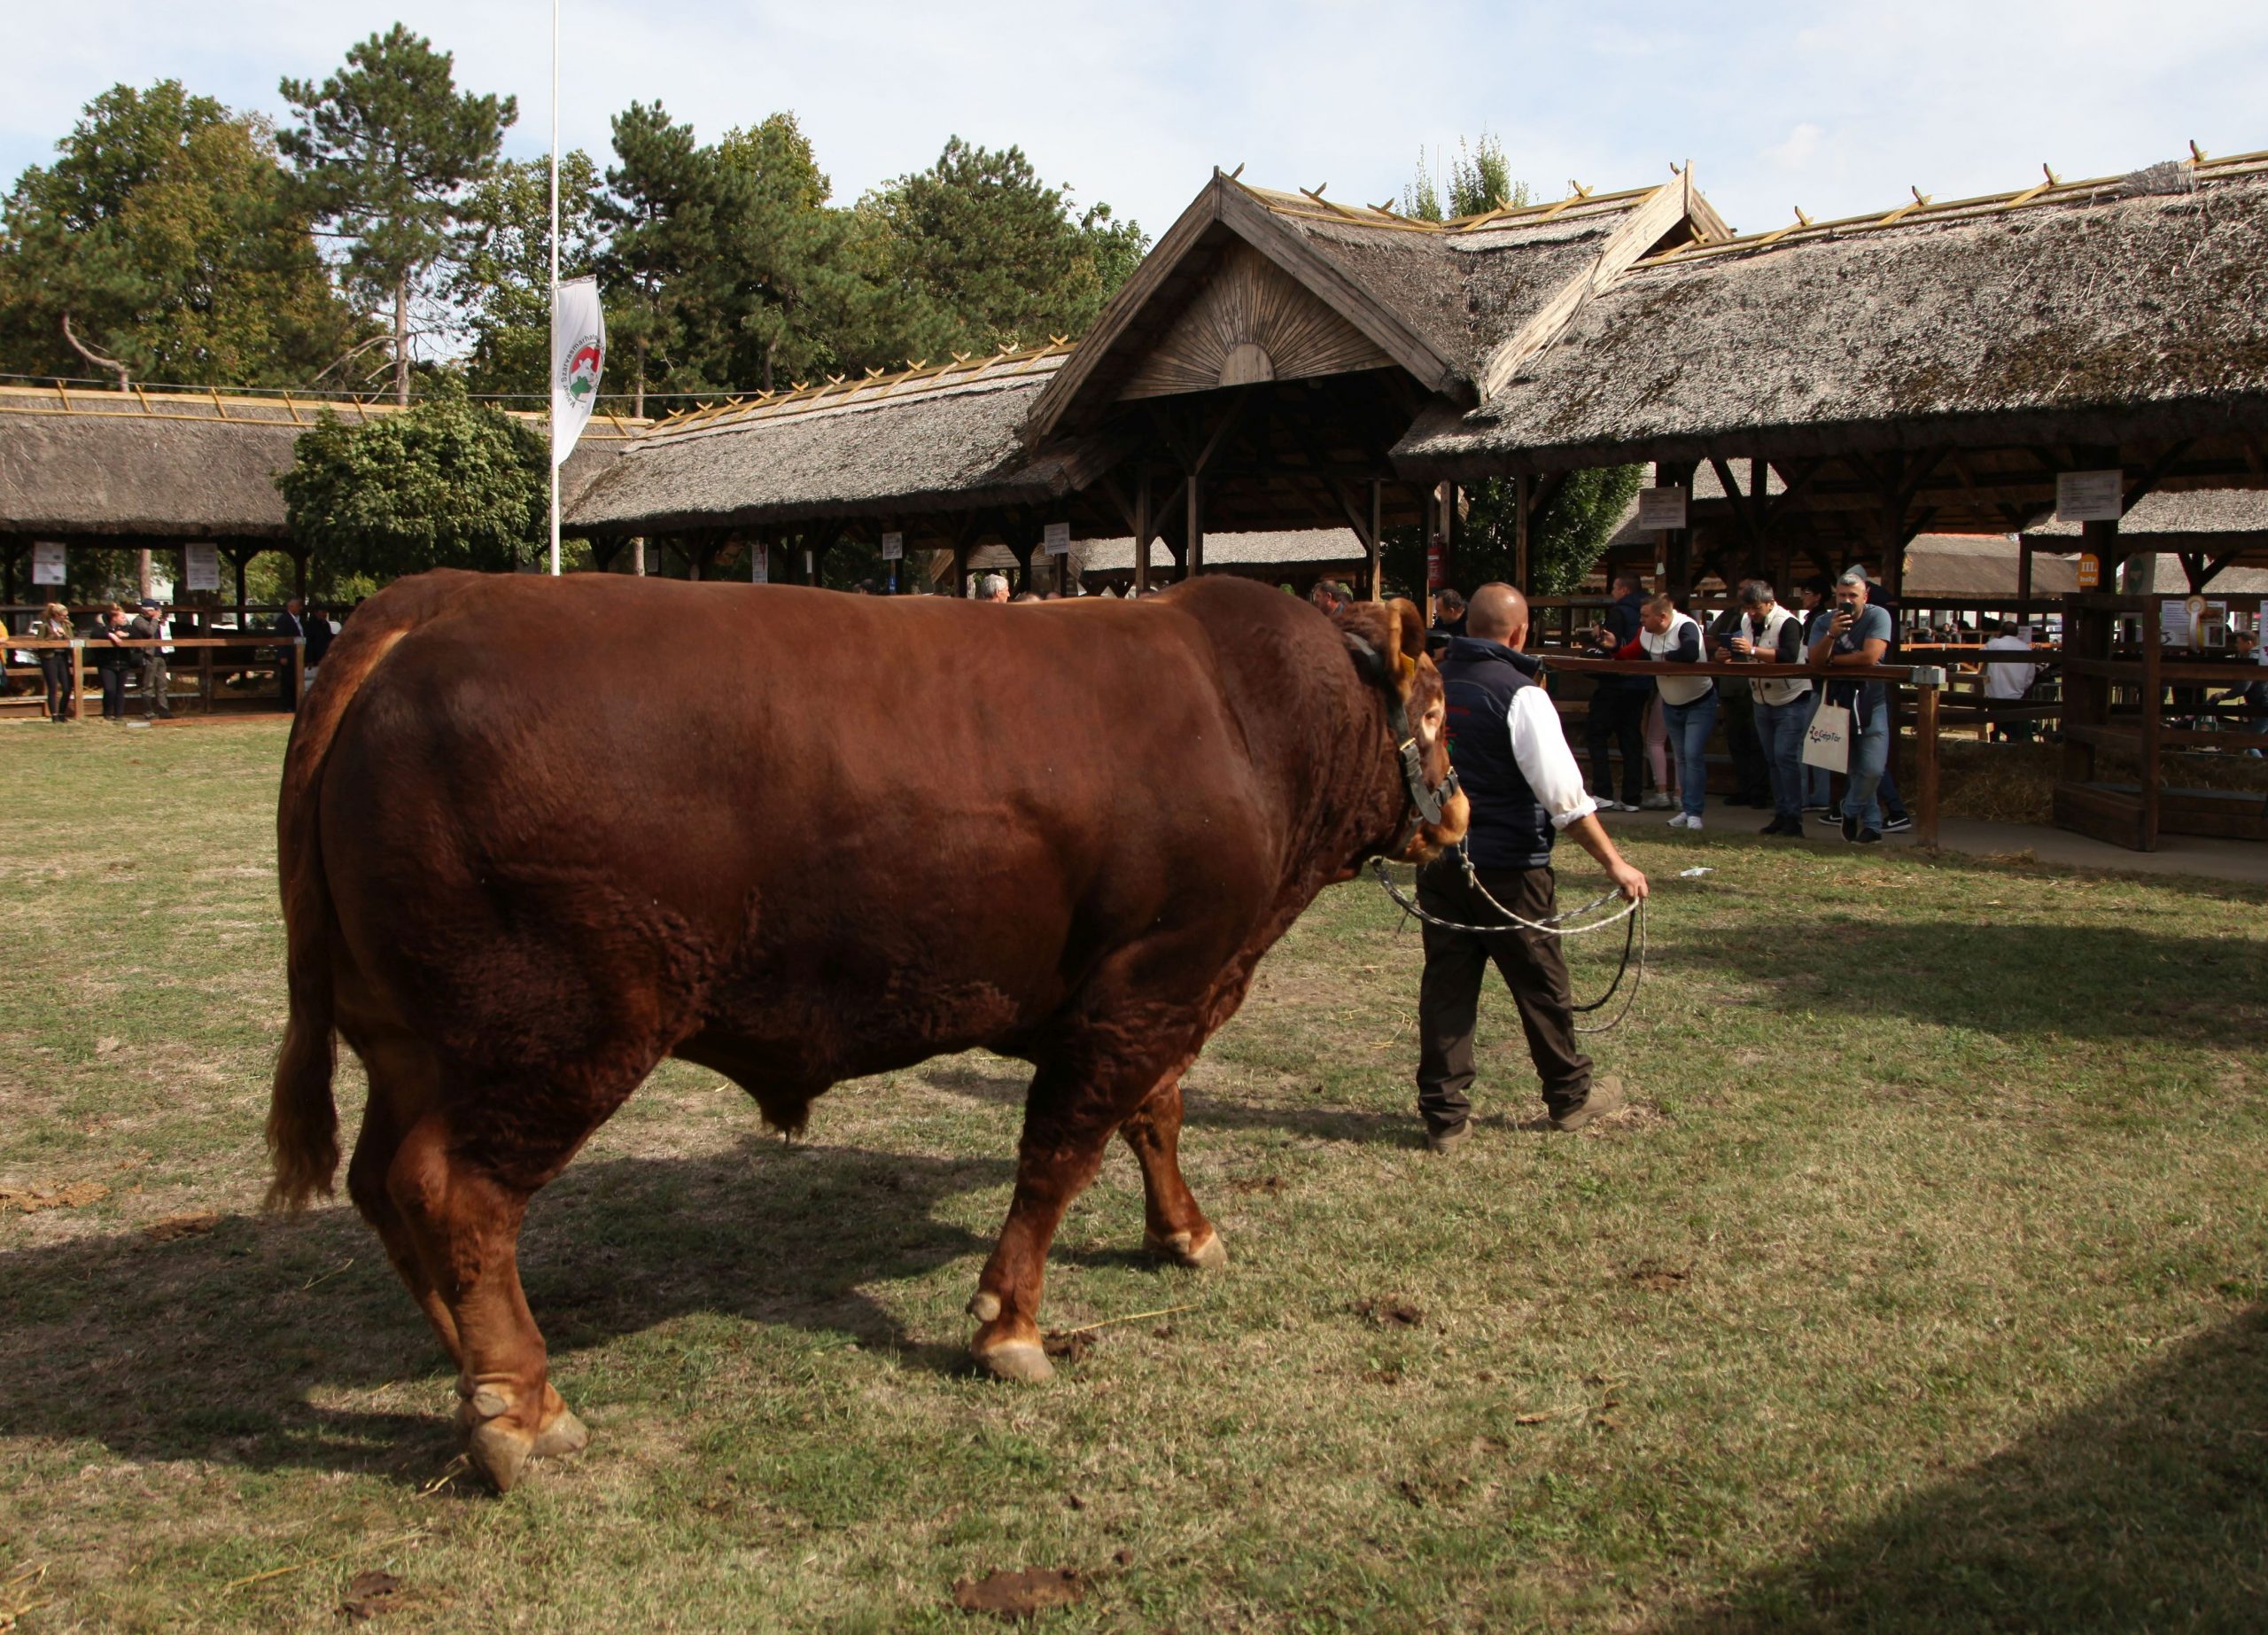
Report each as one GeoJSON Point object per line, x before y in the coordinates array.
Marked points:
{"type": "Point", "coordinates": [1834, 108]}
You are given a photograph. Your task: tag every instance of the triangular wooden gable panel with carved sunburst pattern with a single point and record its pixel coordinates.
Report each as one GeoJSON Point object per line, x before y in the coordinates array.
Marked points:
{"type": "Point", "coordinates": [1251, 323]}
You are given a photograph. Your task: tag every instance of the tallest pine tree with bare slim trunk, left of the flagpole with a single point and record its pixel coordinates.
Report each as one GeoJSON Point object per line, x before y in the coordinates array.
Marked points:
{"type": "Point", "coordinates": [387, 153]}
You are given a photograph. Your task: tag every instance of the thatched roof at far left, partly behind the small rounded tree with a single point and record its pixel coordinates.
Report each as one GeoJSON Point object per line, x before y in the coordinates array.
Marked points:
{"type": "Point", "coordinates": [178, 466]}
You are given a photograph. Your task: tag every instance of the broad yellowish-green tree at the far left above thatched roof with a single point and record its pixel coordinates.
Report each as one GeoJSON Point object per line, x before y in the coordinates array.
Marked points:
{"type": "Point", "coordinates": [164, 244]}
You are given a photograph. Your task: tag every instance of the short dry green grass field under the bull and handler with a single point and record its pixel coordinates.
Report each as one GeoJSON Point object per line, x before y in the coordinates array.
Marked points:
{"type": "Point", "coordinates": [1924, 1289]}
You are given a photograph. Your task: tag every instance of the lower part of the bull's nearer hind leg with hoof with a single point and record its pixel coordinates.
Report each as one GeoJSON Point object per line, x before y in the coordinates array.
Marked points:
{"type": "Point", "coordinates": [466, 1221]}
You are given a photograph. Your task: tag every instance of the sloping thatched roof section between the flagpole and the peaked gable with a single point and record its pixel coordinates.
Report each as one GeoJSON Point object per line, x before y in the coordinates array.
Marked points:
{"type": "Point", "coordinates": [936, 443]}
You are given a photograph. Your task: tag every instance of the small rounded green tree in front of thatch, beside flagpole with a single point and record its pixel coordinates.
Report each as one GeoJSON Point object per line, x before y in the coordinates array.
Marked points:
{"type": "Point", "coordinates": [446, 484]}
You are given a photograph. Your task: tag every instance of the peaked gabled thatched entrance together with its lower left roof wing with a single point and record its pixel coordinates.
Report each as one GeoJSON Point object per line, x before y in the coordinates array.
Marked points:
{"type": "Point", "coordinates": [1310, 310]}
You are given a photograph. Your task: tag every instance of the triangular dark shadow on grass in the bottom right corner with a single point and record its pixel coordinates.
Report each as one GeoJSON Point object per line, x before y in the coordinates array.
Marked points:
{"type": "Point", "coordinates": [2147, 1509]}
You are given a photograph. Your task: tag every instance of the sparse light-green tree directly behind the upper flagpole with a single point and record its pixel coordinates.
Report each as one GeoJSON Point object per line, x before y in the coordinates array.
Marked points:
{"type": "Point", "coordinates": [502, 285]}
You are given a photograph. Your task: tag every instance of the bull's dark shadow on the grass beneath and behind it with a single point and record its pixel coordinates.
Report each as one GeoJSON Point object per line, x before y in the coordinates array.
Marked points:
{"type": "Point", "coordinates": [214, 1346]}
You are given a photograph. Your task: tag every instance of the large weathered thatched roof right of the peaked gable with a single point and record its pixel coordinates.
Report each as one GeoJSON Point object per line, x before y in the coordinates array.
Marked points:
{"type": "Point", "coordinates": [2090, 316]}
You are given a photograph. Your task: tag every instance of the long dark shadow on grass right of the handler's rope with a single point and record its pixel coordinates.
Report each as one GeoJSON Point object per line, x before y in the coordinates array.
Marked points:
{"type": "Point", "coordinates": [2011, 979]}
